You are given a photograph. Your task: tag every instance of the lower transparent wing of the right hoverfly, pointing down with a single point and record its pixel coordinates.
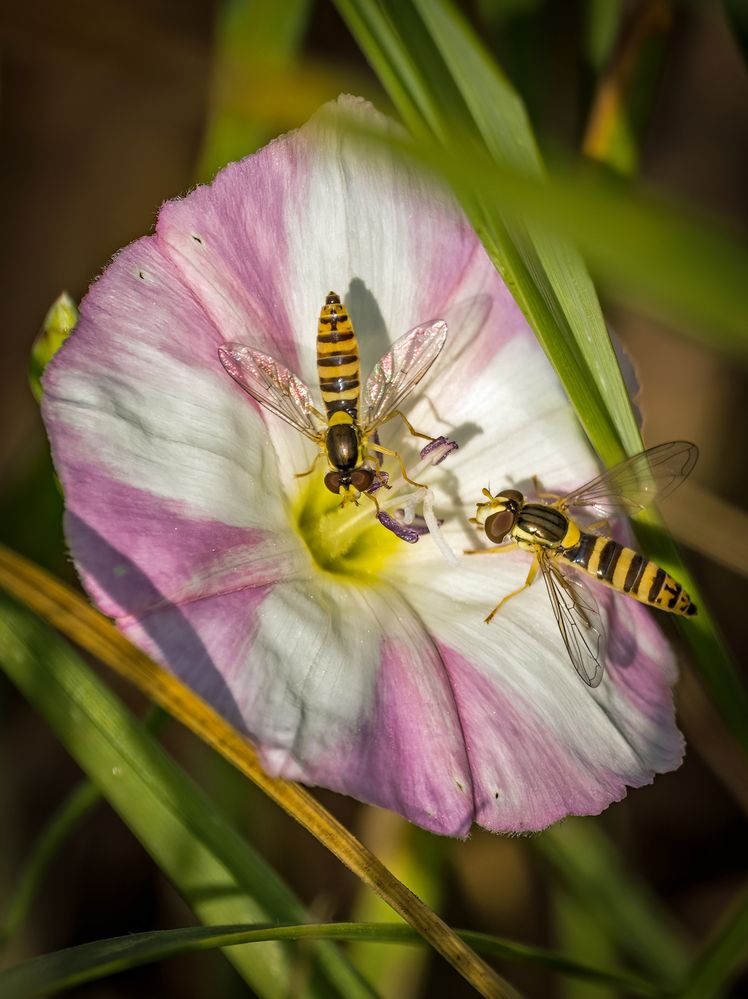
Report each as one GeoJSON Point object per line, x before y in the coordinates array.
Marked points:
{"type": "Point", "coordinates": [578, 618]}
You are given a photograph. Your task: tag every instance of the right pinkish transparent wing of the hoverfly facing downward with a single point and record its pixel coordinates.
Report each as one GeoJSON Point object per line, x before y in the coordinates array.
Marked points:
{"type": "Point", "coordinates": [399, 371]}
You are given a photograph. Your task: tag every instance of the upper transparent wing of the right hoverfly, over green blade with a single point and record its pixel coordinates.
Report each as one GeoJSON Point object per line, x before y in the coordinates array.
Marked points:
{"type": "Point", "coordinates": [637, 482]}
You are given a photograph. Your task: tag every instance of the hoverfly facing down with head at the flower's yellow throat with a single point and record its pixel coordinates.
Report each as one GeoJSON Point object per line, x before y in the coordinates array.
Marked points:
{"type": "Point", "coordinates": [346, 440]}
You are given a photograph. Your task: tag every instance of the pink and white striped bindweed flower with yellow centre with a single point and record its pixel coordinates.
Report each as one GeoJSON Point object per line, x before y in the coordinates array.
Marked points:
{"type": "Point", "coordinates": [351, 659]}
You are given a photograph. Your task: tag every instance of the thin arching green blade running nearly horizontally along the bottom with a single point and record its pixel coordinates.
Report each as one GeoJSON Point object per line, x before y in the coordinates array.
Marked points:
{"type": "Point", "coordinates": [66, 968]}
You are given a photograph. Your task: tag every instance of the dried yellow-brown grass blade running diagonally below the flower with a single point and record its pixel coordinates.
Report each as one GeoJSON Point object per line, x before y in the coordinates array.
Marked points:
{"type": "Point", "coordinates": [62, 607]}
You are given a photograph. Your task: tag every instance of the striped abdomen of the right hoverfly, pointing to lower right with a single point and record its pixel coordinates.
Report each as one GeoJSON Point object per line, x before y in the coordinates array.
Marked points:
{"type": "Point", "coordinates": [627, 571]}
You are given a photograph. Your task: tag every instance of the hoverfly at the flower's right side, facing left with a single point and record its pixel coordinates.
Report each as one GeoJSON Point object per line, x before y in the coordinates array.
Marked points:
{"type": "Point", "coordinates": [556, 541]}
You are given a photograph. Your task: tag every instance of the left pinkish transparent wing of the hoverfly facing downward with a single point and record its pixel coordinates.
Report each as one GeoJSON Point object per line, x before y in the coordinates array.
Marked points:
{"type": "Point", "coordinates": [272, 385]}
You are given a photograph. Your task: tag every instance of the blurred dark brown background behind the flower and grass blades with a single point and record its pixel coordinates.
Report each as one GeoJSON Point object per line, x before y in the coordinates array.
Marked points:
{"type": "Point", "coordinates": [103, 110]}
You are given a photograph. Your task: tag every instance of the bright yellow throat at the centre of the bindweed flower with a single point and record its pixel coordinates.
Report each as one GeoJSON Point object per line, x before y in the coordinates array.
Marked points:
{"type": "Point", "coordinates": [344, 541]}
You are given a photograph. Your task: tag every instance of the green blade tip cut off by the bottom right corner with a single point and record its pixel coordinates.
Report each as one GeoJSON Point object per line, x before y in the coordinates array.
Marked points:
{"type": "Point", "coordinates": [722, 958]}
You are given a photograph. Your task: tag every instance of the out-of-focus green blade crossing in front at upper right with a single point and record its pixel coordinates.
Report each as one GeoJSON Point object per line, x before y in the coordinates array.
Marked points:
{"type": "Point", "coordinates": [676, 265]}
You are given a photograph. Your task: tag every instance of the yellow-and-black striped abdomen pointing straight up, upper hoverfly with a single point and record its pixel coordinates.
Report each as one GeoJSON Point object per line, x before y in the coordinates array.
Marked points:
{"type": "Point", "coordinates": [337, 358]}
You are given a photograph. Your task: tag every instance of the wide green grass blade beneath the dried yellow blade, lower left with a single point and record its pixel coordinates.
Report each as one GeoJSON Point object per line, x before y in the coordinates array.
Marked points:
{"type": "Point", "coordinates": [220, 876]}
